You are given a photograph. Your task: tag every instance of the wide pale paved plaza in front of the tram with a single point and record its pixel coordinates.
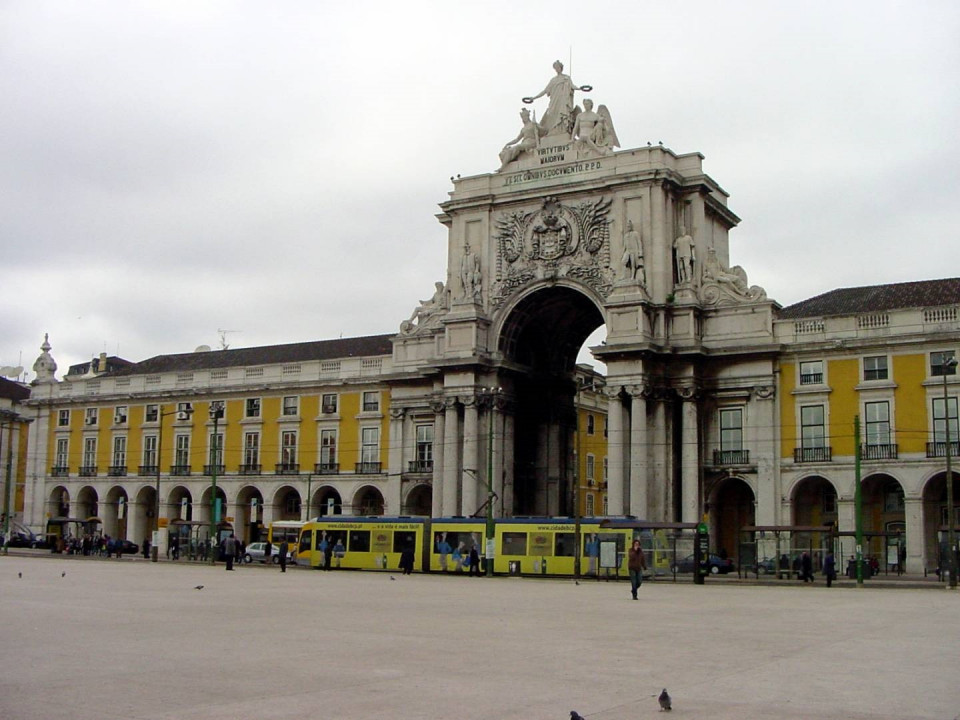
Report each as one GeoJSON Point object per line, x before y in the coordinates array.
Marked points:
{"type": "Point", "coordinates": [133, 640]}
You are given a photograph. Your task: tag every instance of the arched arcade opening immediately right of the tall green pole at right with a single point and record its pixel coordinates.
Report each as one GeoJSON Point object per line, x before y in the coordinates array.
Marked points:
{"type": "Point", "coordinates": [883, 513]}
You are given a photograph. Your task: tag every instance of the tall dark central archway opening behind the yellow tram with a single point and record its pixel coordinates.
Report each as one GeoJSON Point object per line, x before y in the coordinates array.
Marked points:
{"type": "Point", "coordinates": [541, 340]}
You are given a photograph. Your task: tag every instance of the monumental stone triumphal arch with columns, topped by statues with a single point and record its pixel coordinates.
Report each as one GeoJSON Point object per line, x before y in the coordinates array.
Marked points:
{"type": "Point", "coordinates": [569, 232]}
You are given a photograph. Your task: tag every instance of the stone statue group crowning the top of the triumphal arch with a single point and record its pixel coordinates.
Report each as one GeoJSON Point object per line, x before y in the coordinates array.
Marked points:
{"type": "Point", "coordinates": [590, 130]}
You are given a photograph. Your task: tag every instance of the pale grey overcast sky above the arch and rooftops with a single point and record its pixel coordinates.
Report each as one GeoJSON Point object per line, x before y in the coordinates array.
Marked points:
{"type": "Point", "coordinates": [171, 169]}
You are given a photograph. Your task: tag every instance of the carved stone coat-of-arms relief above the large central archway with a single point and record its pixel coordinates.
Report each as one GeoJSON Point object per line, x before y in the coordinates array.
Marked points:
{"type": "Point", "coordinates": [556, 241]}
